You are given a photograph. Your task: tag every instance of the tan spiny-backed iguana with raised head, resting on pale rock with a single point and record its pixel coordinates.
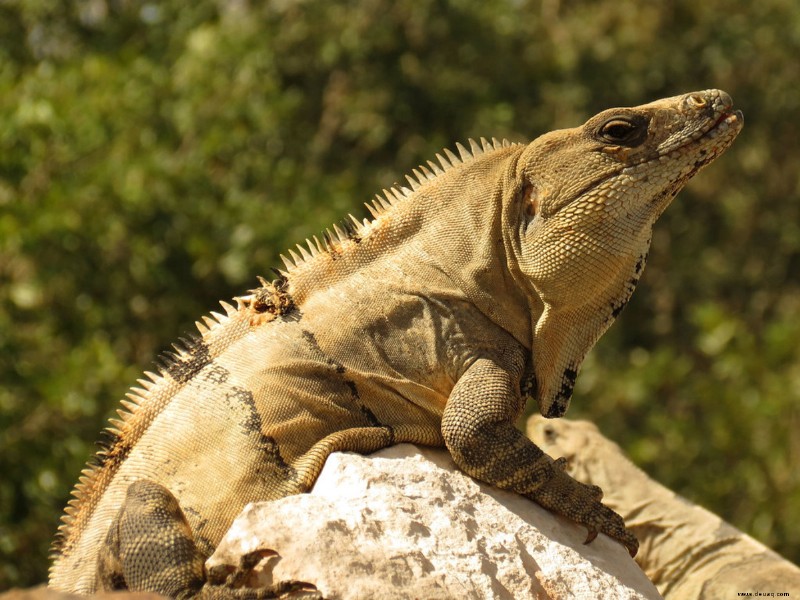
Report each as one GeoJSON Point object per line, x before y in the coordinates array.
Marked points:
{"type": "Point", "coordinates": [480, 285]}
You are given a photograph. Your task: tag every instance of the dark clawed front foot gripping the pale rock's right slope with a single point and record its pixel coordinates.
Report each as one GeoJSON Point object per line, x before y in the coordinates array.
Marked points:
{"type": "Point", "coordinates": [581, 503]}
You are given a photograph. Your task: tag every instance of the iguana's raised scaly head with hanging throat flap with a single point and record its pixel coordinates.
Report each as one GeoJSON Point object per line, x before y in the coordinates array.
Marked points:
{"type": "Point", "coordinates": [589, 199]}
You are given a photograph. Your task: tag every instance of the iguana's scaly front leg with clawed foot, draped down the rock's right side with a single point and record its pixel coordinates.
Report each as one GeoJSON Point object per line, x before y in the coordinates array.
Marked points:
{"type": "Point", "coordinates": [478, 429]}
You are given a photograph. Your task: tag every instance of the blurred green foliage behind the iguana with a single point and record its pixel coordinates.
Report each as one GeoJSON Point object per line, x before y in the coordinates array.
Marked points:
{"type": "Point", "coordinates": [156, 156]}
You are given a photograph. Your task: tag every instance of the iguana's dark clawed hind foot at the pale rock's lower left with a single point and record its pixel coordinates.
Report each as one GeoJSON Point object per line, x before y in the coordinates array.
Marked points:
{"type": "Point", "coordinates": [241, 582]}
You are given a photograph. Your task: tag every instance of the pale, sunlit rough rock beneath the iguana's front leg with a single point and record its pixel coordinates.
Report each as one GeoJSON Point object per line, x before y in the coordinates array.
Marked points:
{"type": "Point", "coordinates": [406, 523]}
